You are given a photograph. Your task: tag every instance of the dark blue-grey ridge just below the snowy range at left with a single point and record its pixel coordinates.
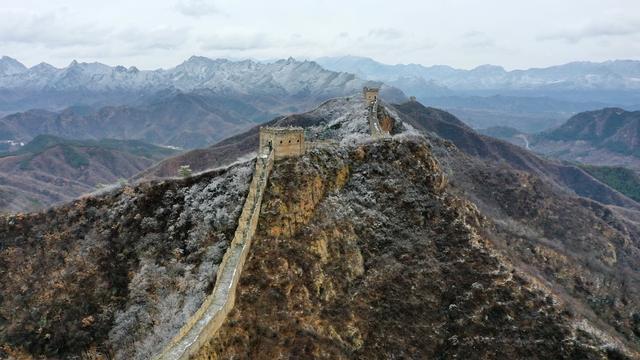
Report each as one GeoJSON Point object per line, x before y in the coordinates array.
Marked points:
{"type": "Point", "coordinates": [171, 117]}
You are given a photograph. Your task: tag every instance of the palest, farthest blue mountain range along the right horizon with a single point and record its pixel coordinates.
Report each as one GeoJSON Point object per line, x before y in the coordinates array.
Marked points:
{"type": "Point", "coordinates": [611, 75]}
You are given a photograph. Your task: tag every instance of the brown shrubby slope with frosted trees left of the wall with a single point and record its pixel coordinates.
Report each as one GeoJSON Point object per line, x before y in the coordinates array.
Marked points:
{"type": "Point", "coordinates": [115, 275]}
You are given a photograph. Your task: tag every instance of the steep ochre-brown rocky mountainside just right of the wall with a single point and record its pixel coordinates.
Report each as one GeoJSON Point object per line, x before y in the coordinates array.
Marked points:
{"type": "Point", "coordinates": [365, 254]}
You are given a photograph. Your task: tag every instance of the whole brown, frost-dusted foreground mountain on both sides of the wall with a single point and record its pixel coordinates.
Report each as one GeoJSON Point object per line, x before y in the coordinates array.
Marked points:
{"type": "Point", "coordinates": [411, 246]}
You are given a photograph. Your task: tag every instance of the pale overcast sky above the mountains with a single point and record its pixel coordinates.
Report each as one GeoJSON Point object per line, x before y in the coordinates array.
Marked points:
{"type": "Point", "coordinates": [461, 33]}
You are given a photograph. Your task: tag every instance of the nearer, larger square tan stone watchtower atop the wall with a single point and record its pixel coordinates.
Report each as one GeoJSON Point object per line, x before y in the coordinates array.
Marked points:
{"type": "Point", "coordinates": [285, 142]}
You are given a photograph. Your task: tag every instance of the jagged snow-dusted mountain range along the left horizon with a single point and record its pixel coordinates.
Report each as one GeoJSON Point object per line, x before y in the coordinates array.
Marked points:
{"type": "Point", "coordinates": [281, 78]}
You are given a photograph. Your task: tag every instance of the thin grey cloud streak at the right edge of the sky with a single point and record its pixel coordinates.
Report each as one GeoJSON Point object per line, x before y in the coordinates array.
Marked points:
{"type": "Point", "coordinates": [601, 29]}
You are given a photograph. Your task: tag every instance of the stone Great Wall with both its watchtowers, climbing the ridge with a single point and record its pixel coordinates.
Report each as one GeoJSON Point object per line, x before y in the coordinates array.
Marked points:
{"type": "Point", "coordinates": [275, 143]}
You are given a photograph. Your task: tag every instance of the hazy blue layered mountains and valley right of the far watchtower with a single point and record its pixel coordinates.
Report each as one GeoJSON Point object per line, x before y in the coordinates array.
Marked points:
{"type": "Point", "coordinates": [528, 100]}
